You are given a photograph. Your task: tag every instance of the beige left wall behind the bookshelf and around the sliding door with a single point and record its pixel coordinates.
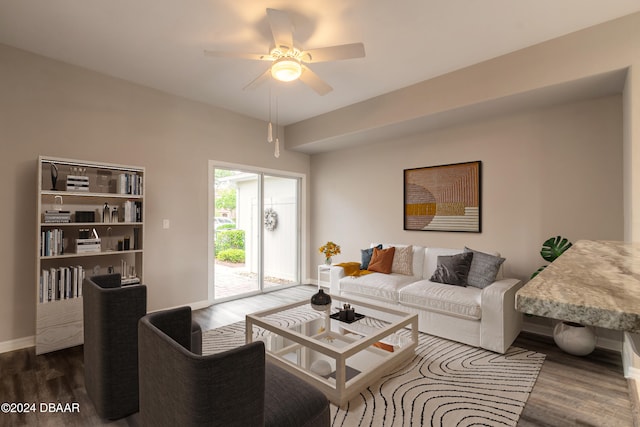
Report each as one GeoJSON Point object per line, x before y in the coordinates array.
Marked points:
{"type": "Point", "coordinates": [55, 109]}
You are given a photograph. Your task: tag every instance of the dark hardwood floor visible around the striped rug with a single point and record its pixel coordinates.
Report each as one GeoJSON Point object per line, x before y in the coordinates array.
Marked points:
{"type": "Point", "coordinates": [570, 391]}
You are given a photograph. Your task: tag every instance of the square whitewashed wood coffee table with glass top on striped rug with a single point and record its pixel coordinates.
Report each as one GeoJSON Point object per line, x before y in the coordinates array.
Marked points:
{"type": "Point", "coordinates": [338, 357]}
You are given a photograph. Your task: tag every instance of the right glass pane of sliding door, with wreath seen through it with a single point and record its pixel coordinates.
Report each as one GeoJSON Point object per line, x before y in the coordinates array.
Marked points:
{"type": "Point", "coordinates": [280, 239]}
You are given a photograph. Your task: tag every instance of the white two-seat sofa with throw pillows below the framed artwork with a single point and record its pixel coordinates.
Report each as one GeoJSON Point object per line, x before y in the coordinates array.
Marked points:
{"type": "Point", "coordinates": [484, 318]}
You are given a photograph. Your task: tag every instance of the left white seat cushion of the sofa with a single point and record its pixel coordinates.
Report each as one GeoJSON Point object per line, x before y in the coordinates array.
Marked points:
{"type": "Point", "coordinates": [378, 286]}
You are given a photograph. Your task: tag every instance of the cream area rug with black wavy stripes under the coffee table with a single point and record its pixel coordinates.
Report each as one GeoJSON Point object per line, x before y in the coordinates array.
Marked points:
{"type": "Point", "coordinates": [445, 384]}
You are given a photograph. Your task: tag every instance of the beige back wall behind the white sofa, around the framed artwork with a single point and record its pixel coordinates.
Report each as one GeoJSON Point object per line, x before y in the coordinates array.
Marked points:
{"type": "Point", "coordinates": [545, 172]}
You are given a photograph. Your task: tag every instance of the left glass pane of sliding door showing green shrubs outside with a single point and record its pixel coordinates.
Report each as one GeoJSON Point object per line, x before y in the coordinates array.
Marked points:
{"type": "Point", "coordinates": [236, 247]}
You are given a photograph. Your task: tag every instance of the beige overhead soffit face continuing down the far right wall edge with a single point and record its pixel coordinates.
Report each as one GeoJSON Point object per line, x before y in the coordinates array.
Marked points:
{"type": "Point", "coordinates": [589, 56]}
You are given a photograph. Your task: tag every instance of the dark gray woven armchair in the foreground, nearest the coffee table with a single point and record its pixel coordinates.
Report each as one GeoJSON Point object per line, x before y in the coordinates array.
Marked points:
{"type": "Point", "coordinates": [233, 388]}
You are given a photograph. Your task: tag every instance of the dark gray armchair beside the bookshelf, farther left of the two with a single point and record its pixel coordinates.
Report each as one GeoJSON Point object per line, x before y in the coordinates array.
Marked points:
{"type": "Point", "coordinates": [111, 315]}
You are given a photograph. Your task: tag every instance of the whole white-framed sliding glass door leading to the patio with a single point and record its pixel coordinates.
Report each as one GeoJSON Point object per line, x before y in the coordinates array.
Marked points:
{"type": "Point", "coordinates": [255, 232]}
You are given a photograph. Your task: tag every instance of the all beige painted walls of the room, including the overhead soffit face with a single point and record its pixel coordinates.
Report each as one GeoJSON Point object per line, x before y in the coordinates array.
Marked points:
{"type": "Point", "coordinates": [50, 108]}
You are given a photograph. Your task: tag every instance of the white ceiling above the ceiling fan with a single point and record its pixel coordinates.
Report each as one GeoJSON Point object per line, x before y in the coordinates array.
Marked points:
{"type": "Point", "coordinates": [160, 43]}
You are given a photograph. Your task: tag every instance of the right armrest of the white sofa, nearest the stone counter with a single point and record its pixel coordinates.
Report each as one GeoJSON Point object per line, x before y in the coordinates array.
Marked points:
{"type": "Point", "coordinates": [500, 323]}
